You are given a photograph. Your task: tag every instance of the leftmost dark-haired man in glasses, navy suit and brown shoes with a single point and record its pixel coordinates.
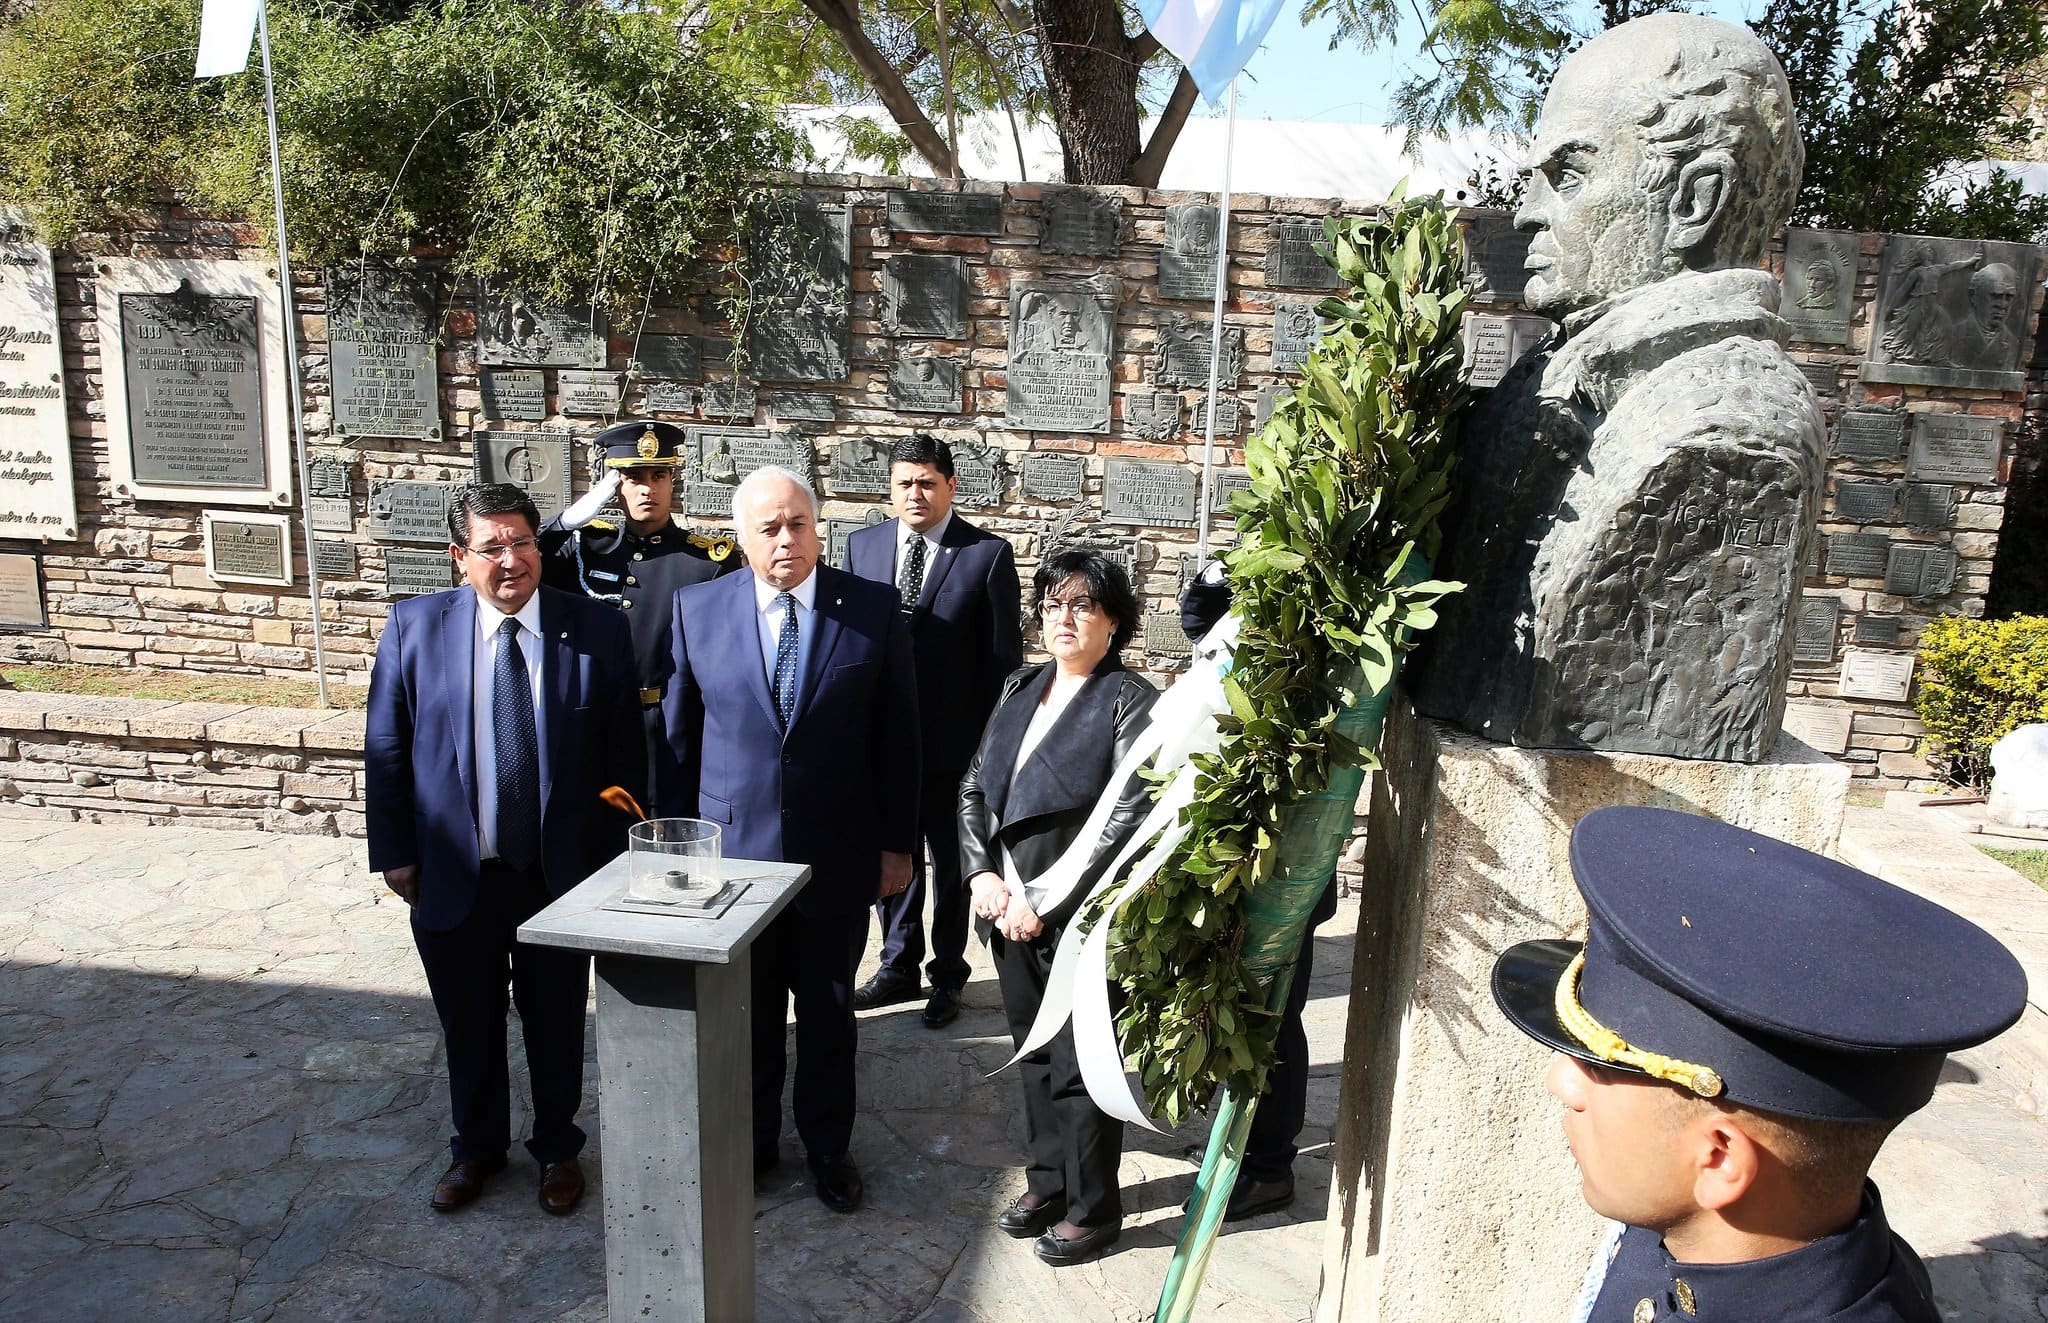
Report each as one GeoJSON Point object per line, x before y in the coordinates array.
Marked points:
{"type": "Point", "coordinates": [499, 712]}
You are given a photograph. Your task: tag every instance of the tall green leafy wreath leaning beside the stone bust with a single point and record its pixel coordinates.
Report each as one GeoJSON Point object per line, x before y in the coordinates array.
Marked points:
{"type": "Point", "coordinates": [1349, 480]}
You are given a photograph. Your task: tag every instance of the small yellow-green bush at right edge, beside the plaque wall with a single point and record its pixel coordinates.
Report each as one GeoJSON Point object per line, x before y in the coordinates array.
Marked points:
{"type": "Point", "coordinates": [1979, 681]}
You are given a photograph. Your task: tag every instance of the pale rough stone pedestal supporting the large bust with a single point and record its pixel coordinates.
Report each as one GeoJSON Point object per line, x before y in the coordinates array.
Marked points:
{"type": "Point", "coordinates": [1453, 1193]}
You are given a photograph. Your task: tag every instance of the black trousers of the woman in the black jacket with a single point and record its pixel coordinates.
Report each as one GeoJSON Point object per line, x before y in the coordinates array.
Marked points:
{"type": "Point", "coordinates": [1072, 1146]}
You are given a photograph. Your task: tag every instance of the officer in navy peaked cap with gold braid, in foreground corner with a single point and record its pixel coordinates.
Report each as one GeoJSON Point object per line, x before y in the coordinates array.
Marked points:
{"type": "Point", "coordinates": [1736, 1039]}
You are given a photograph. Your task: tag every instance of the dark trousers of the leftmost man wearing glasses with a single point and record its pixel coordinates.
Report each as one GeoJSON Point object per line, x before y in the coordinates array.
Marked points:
{"type": "Point", "coordinates": [470, 970]}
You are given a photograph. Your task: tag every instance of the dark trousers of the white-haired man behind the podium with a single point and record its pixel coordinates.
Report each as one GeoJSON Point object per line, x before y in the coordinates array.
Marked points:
{"type": "Point", "coordinates": [810, 962]}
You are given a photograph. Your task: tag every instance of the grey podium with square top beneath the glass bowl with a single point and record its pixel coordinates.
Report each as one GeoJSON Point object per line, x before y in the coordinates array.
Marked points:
{"type": "Point", "coordinates": [675, 1064]}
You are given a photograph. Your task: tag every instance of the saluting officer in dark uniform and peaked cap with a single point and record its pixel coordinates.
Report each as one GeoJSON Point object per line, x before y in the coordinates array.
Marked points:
{"type": "Point", "coordinates": [642, 562]}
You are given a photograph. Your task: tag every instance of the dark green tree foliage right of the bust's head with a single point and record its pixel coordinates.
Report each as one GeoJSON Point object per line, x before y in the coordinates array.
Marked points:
{"type": "Point", "coordinates": [1893, 97]}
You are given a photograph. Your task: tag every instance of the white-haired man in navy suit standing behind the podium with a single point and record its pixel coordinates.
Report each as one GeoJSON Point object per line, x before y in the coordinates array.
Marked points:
{"type": "Point", "coordinates": [794, 726]}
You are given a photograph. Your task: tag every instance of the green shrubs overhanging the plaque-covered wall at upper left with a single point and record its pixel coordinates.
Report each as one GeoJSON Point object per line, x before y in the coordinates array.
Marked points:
{"type": "Point", "coordinates": [568, 151]}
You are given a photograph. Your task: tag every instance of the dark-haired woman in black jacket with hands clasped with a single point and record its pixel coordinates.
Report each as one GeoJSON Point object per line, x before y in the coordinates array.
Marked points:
{"type": "Point", "coordinates": [1050, 751]}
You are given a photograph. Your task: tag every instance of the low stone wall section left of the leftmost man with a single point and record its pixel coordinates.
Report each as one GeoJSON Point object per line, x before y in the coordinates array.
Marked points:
{"type": "Point", "coordinates": [196, 765]}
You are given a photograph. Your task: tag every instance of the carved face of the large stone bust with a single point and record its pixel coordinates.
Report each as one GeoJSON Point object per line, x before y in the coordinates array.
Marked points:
{"type": "Point", "coordinates": [1598, 230]}
